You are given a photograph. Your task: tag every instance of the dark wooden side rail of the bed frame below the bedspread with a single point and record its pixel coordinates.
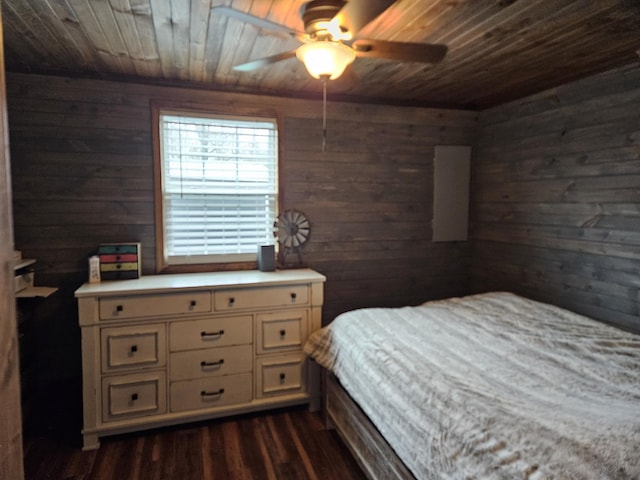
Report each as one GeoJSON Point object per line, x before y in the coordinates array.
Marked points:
{"type": "Point", "coordinates": [376, 457]}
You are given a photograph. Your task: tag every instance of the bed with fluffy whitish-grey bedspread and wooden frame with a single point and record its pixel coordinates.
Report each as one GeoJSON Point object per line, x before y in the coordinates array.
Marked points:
{"type": "Point", "coordinates": [490, 386]}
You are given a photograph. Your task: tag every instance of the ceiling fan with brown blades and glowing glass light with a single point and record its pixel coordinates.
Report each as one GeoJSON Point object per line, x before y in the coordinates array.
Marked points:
{"type": "Point", "coordinates": [330, 41]}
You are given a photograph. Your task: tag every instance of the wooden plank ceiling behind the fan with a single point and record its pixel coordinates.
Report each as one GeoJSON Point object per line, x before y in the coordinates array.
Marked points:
{"type": "Point", "coordinates": [498, 50]}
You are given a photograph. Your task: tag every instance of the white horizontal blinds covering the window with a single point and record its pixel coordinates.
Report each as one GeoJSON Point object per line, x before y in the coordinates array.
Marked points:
{"type": "Point", "coordinates": [219, 187]}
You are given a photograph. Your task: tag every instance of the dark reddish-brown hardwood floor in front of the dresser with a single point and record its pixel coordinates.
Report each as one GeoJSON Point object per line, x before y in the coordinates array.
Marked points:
{"type": "Point", "coordinates": [285, 444]}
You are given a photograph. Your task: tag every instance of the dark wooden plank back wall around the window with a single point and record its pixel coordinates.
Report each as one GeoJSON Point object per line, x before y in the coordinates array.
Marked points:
{"type": "Point", "coordinates": [82, 175]}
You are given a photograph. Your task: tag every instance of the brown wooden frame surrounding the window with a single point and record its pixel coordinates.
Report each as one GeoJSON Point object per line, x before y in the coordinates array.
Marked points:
{"type": "Point", "coordinates": [158, 107]}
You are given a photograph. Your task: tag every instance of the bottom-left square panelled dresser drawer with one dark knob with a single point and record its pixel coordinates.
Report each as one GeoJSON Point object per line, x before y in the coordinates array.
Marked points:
{"type": "Point", "coordinates": [133, 396]}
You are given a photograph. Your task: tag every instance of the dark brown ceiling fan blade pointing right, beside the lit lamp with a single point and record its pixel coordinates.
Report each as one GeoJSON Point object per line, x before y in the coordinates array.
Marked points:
{"type": "Point", "coordinates": [406, 52]}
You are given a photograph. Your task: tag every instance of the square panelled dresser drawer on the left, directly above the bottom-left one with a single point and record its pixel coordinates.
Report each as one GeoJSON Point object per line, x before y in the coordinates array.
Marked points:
{"type": "Point", "coordinates": [137, 346]}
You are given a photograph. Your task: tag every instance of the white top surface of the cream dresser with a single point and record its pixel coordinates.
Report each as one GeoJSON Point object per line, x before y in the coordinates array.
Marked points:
{"type": "Point", "coordinates": [190, 281]}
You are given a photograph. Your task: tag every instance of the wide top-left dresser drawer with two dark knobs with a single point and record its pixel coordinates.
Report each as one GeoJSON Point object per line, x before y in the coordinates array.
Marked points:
{"type": "Point", "coordinates": [113, 308]}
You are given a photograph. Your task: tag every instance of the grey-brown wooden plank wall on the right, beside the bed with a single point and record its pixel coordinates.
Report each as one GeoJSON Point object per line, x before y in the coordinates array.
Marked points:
{"type": "Point", "coordinates": [556, 197]}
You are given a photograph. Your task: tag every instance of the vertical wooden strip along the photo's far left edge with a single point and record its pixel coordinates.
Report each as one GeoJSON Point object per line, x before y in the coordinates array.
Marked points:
{"type": "Point", "coordinates": [10, 418]}
